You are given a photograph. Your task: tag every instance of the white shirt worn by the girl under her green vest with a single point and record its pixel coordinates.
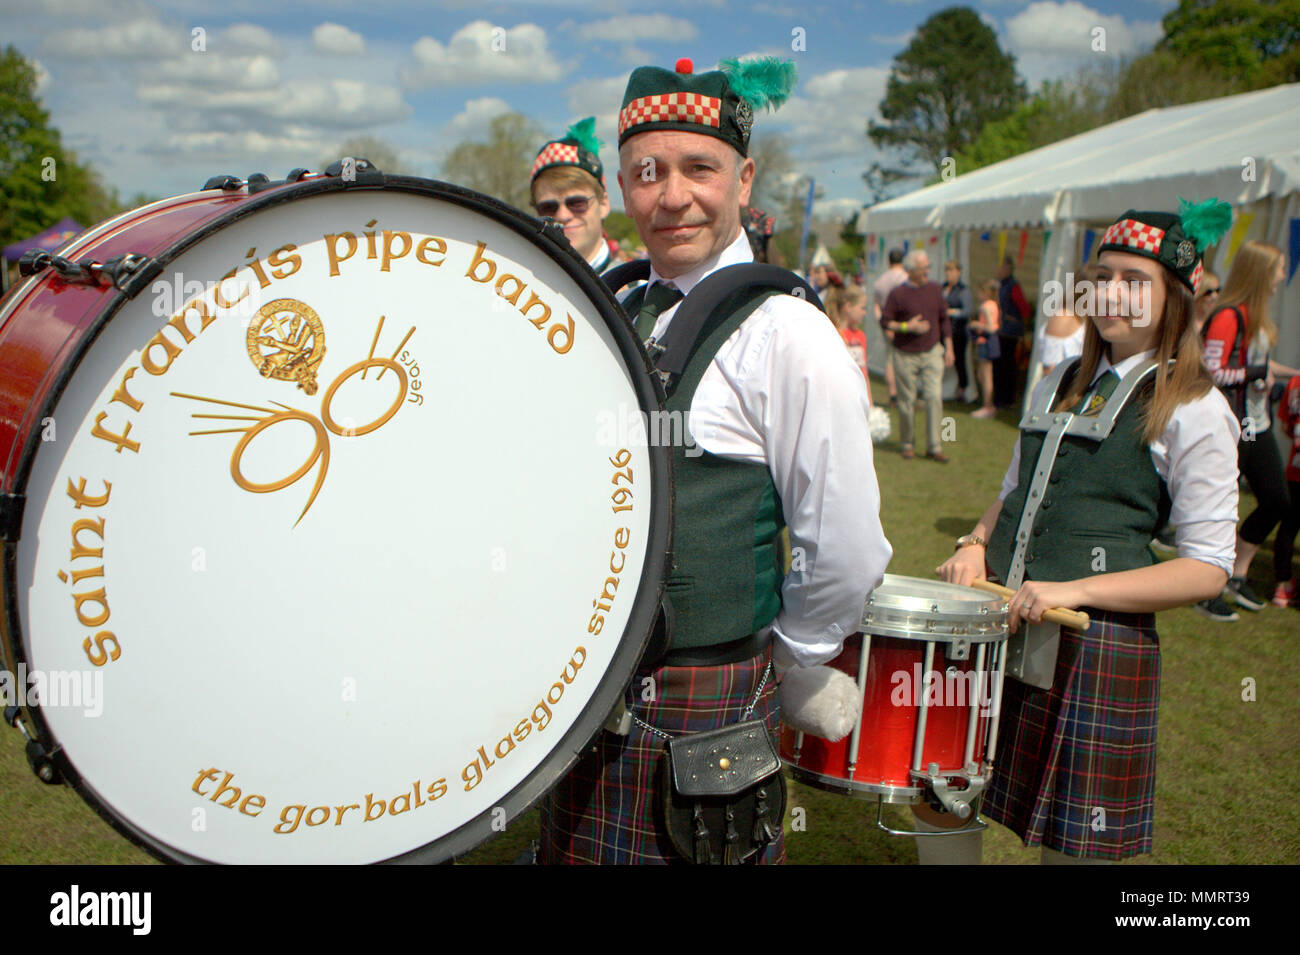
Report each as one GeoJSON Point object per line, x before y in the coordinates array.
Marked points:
{"type": "Point", "coordinates": [1197, 459]}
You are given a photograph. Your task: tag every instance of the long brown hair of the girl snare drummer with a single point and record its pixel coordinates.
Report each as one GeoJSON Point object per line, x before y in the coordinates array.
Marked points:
{"type": "Point", "coordinates": [1189, 379]}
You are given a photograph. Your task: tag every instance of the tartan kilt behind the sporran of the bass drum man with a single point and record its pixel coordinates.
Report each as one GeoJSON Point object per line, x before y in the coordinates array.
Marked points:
{"type": "Point", "coordinates": [606, 810]}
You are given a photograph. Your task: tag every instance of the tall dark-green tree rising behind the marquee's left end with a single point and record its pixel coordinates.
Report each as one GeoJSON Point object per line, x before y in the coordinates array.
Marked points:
{"type": "Point", "coordinates": [944, 88]}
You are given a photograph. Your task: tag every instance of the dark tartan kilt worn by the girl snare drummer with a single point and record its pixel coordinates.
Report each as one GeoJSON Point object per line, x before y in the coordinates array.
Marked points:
{"type": "Point", "coordinates": [1089, 744]}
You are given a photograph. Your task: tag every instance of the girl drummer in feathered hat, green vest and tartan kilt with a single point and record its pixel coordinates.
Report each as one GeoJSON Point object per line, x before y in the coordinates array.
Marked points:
{"type": "Point", "coordinates": [1076, 766]}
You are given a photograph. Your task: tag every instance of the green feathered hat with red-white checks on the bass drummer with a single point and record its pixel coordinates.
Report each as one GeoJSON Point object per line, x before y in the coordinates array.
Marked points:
{"type": "Point", "coordinates": [718, 105]}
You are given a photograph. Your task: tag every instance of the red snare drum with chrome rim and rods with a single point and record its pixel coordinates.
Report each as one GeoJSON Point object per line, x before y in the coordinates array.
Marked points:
{"type": "Point", "coordinates": [929, 667]}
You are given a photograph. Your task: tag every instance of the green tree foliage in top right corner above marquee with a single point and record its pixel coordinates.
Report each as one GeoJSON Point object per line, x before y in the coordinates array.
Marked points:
{"type": "Point", "coordinates": [1255, 41]}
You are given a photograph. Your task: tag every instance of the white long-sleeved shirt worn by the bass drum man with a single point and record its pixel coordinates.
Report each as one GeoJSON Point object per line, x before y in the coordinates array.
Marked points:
{"type": "Point", "coordinates": [785, 393]}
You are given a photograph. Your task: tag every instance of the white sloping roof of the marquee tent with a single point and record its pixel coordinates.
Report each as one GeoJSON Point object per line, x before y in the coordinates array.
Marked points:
{"type": "Point", "coordinates": [1241, 149]}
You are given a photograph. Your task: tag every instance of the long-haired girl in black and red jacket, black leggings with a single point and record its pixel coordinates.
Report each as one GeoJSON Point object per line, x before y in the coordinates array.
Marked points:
{"type": "Point", "coordinates": [1238, 338]}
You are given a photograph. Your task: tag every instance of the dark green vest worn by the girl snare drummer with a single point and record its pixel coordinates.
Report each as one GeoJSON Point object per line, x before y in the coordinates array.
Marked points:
{"type": "Point", "coordinates": [1103, 505]}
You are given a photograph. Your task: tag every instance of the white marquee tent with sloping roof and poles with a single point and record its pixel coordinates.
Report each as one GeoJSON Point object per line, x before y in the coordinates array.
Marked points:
{"type": "Point", "coordinates": [1245, 150]}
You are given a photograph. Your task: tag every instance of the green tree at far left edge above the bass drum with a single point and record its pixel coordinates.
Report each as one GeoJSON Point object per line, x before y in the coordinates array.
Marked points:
{"type": "Point", "coordinates": [41, 183]}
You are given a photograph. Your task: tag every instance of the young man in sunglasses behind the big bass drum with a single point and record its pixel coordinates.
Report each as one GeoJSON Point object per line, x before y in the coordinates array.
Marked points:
{"type": "Point", "coordinates": [569, 186]}
